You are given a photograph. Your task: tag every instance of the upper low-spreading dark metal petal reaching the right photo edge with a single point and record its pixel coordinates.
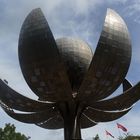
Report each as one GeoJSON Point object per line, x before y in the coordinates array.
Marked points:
{"type": "Point", "coordinates": [120, 102]}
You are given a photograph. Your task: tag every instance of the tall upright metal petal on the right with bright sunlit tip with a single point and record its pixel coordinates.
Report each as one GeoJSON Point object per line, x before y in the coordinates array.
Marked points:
{"type": "Point", "coordinates": [110, 62]}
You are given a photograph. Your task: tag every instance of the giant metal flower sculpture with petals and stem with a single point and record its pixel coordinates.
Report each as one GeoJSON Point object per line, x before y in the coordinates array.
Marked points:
{"type": "Point", "coordinates": [69, 80]}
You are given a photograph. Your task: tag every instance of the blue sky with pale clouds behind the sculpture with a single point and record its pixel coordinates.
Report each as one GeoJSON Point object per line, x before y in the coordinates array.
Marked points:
{"type": "Point", "coordinates": [74, 18]}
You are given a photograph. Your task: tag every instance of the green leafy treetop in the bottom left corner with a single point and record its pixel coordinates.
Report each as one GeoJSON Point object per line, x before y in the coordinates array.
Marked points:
{"type": "Point", "coordinates": [8, 133]}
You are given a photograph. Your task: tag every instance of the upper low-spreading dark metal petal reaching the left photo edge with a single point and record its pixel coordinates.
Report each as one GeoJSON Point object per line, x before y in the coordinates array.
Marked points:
{"type": "Point", "coordinates": [19, 102]}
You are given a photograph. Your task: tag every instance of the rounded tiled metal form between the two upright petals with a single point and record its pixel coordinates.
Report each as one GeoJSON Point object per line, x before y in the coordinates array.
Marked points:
{"type": "Point", "coordinates": [77, 56]}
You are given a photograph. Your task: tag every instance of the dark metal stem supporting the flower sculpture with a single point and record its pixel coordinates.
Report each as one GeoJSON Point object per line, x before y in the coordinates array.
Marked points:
{"type": "Point", "coordinates": [71, 115]}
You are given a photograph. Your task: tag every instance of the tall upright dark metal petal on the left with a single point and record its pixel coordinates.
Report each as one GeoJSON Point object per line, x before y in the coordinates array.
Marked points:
{"type": "Point", "coordinates": [40, 61]}
